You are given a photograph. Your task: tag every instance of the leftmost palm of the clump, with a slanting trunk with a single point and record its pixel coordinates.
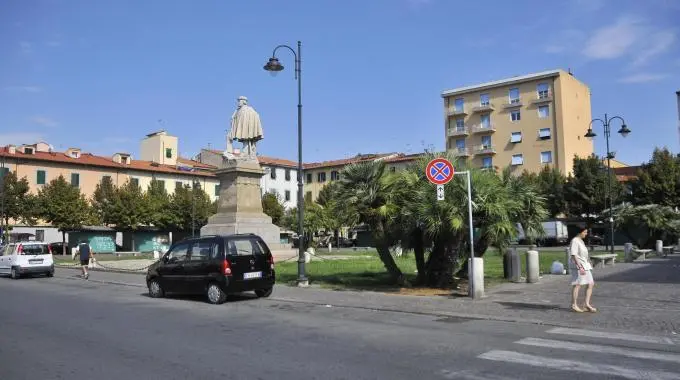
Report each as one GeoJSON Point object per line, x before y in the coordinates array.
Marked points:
{"type": "Point", "coordinates": [364, 191]}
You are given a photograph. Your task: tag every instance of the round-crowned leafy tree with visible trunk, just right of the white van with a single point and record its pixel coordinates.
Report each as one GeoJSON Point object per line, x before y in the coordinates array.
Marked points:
{"type": "Point", "coordinates": [63, 206]}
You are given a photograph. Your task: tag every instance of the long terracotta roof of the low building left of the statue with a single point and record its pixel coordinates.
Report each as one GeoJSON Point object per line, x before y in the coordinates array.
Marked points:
{"type": "Point", "coordinates": [88, 159]}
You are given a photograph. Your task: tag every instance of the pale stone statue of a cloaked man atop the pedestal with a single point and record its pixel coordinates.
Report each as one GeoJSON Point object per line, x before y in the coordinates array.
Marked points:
{"type": "Point", "coordinates": [245, 127]}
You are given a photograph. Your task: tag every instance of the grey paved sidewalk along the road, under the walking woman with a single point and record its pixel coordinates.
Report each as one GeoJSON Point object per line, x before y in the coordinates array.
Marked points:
{"type": "Point", "coordinates": [639, 296]}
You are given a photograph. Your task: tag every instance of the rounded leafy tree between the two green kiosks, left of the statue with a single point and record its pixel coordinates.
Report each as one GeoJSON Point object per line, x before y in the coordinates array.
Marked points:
{"type": "Point", "coordinates": [128, 209]}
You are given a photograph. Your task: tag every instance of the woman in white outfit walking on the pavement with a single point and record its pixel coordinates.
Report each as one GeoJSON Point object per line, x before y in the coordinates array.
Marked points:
{"type": "Point", "coordinates": [582, 275]}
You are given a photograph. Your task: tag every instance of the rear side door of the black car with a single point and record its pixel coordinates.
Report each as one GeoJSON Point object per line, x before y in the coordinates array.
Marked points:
{"type": "Point", "coordinates": [201, 264]}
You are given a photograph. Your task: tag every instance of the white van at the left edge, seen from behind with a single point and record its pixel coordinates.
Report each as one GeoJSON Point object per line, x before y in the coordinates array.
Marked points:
{"type": "Point", "coordinates": [28, 257]}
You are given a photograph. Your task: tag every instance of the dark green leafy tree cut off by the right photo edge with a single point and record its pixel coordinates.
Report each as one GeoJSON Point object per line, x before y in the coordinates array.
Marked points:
{"type": "Point", "coordinates": [658, 180]}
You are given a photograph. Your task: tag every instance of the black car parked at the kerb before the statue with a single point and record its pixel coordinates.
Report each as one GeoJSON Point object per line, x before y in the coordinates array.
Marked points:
{"type": "Point", "coordinates": [215, 266]}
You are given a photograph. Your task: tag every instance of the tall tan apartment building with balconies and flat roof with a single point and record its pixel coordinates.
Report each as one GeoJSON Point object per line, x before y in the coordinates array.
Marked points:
{"type": "Point", "coordinates": [525, 122]}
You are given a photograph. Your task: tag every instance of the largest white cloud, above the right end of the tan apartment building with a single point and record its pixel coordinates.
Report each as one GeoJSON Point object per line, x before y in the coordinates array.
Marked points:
{"type": "Point", "coordinates": [615, 40]}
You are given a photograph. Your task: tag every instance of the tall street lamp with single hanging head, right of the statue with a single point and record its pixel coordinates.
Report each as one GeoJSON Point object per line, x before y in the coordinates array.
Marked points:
{"type": "Point", "coordinates": [274, 66]}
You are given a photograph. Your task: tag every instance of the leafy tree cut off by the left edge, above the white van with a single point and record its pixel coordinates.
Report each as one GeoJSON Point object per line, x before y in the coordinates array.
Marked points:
{"type": "Point", "coordinates": [19, 203]}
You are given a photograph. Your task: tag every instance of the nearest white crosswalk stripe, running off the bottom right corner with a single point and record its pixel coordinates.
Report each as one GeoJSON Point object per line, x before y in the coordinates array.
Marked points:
{"type": "Point", "coordinates": [571, 365]}
